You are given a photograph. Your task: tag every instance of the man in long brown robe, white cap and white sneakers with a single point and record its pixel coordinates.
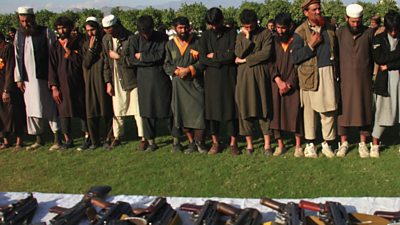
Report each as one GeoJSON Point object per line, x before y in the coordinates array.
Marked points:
{"type": "Point", "coordinates": [356, 69]}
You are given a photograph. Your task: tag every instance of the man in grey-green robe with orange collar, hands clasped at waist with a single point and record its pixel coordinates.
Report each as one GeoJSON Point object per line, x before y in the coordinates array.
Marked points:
{"type": "Point", "coordinates": [181, 63]}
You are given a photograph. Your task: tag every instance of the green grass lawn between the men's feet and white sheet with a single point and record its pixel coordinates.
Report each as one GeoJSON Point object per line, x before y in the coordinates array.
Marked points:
{"type": "Point", "coordinates": [164, 173]}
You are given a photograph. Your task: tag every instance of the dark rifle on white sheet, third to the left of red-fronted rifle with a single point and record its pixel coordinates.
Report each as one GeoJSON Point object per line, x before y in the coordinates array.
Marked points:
{"type": "Point", "coordinates": [206, 214]}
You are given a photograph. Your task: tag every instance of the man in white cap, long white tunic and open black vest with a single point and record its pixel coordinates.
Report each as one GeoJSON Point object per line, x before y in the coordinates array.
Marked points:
{"type": "Point", "coordinates": [31, 74]}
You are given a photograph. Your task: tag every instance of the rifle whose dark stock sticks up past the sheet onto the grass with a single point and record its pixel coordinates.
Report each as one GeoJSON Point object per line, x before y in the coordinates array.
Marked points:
{"type": "Point", "coordinates": [72, 216]}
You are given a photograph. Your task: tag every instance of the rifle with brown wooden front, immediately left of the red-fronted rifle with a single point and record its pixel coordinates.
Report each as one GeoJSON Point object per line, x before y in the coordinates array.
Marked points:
{"type": "Point", "coordinates": [288, 214]}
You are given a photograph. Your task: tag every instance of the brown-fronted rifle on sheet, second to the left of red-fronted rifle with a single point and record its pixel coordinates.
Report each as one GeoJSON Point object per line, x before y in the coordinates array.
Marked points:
{"type": "Point", "coordinates": [247, 216]}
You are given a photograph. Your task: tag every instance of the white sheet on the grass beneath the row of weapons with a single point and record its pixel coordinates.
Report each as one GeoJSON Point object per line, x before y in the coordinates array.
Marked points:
{"type": "Point", "coordinates": [46, 200]}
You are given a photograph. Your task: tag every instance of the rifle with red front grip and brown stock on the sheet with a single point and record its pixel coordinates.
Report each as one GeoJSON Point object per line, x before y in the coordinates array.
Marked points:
{"type": "Point", "coordinates": [334, 213]}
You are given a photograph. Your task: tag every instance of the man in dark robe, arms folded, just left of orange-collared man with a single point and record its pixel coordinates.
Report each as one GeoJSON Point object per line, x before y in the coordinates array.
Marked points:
{"type": "Point", "coordinates": [147, 54]}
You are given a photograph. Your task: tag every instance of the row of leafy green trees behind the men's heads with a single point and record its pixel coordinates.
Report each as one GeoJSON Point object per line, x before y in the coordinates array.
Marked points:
{"type": "Point", "coordinates": [196, 11]}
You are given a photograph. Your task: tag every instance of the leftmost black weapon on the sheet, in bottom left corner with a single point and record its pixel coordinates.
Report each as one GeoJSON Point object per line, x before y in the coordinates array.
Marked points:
{"type": "Point", "coordinates": [20, 212]}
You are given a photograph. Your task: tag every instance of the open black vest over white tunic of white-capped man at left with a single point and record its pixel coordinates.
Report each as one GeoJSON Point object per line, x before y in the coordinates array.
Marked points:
{"type": "Point", "coordinates": [40, 51]}
